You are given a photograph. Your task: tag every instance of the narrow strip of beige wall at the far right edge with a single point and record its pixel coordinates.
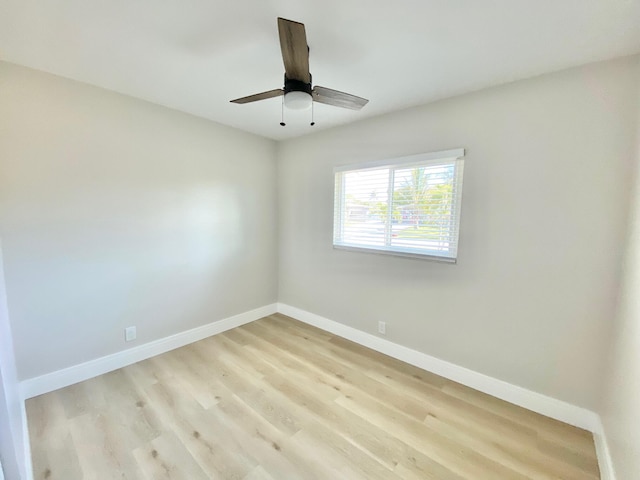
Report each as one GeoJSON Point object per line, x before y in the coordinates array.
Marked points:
{"type": "Point", "coordinates": [621, 389]}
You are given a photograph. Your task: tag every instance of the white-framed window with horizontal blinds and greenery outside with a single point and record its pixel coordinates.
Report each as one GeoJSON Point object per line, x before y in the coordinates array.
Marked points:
{"type": "Point", "coordinates": [406, 206]}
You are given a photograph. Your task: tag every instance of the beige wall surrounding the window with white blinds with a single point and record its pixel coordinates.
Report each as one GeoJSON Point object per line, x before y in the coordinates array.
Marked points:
{"type": "Point", "coordinates": [543, 218]}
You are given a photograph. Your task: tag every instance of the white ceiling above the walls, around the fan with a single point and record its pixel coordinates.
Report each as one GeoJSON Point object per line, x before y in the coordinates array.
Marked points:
{"type": "Point", "coordinates": [196, 55]}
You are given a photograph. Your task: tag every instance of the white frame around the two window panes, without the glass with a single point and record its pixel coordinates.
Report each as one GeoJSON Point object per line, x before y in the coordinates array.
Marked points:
{"type": "Point", "coordinates": [453, 157]}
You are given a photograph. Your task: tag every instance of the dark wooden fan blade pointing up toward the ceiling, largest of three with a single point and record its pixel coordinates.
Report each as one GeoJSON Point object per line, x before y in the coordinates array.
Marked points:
{"type": "Point", "coordinates": [295, 52]}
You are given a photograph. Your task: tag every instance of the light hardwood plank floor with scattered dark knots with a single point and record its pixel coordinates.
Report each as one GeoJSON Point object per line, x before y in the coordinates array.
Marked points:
{"type": "Point", "coordinates": [277, 399]}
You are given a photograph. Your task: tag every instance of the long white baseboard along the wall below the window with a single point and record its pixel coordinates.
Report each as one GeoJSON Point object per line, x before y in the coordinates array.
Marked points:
{"type": "Point", "coordinates": [550, 407]}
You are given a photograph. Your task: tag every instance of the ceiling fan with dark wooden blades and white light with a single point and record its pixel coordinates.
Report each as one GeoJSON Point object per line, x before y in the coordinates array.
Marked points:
{"type": "Point", "coordinates": [298, 91]}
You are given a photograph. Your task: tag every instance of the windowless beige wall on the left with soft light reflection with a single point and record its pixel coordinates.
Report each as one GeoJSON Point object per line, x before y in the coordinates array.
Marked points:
{"type": "Point", "coordinates": [118, 212]}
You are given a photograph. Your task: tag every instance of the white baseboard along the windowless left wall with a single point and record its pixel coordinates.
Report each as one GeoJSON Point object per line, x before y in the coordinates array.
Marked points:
{"type": "Point", "coordinates": [77, 373]}
